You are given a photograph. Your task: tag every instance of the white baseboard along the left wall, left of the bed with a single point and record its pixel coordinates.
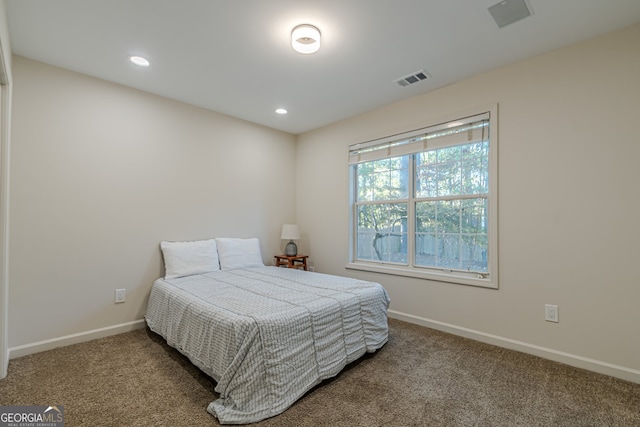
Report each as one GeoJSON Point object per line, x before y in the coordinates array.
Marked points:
{"type": "Point", "coordinates": [50, 344]}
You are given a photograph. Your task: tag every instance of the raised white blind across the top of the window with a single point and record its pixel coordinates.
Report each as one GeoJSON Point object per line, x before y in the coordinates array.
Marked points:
{"type": "Point", "coordinates": [464, 131]}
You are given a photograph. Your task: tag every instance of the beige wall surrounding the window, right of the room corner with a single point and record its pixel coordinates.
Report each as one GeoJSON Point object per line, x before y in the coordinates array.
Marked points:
{"type": "Point", "coordinates": [568, 204]}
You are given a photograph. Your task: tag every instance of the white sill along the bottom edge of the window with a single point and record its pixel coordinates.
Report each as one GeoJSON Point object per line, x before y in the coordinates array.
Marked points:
{"type": "Point", "coordinates": [461, 279]}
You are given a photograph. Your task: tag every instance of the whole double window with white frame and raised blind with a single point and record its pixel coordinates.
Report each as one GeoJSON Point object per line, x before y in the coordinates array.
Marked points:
{"type": "Point", "coordinates": [423, 204]}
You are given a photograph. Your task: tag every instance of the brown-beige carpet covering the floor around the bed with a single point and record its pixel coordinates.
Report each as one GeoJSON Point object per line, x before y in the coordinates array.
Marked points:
{"type": "Point", "coordinates": [421, 377]}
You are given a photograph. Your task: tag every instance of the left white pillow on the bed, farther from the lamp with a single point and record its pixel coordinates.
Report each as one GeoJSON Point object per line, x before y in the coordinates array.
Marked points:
{"type": "Point", "coordinates": [187, 258]}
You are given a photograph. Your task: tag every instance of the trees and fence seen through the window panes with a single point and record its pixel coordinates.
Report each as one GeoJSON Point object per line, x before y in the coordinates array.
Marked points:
{"type": "Point", "coordinates": [451, 215]}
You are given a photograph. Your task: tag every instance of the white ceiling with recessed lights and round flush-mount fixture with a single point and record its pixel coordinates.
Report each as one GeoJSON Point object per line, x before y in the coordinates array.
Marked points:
{"type": "Point", "coordinates": [235, 56]}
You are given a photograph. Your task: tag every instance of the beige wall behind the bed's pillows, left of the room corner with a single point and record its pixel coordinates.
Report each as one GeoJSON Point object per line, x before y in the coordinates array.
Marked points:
{"type": "Point", "coordinates": [100, 174]}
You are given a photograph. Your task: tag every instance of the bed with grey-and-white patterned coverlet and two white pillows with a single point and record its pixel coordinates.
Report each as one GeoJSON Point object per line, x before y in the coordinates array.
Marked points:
{"type": "Point", "coordinates": [267, 335]}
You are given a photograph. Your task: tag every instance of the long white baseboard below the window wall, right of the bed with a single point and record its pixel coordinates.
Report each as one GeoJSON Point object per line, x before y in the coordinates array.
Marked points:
{"type": "Point", "coordinates": [598, 366]}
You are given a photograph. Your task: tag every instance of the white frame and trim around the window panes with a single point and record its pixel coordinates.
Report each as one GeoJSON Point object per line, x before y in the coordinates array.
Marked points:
{"type": "Point", "coordinates": [397, 145]}
